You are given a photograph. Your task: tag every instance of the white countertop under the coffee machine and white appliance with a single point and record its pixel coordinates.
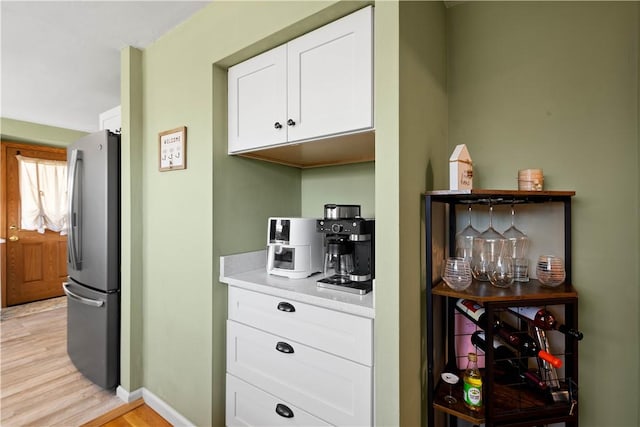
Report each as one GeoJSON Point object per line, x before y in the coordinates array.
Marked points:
{"type": "Point", "coordinates": [248, 271]}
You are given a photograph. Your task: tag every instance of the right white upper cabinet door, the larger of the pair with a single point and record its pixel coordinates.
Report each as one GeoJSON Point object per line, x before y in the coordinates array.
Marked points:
{"type": "Point", "coordinates": [330, 73]}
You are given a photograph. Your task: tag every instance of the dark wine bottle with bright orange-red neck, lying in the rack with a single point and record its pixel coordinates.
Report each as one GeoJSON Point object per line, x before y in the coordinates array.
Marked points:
{"type": "Point", "coordinates": [519, 340]}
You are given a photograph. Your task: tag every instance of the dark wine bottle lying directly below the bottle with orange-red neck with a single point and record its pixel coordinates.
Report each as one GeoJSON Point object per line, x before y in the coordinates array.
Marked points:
{"type": "Point", "coordinates": [507, 363]}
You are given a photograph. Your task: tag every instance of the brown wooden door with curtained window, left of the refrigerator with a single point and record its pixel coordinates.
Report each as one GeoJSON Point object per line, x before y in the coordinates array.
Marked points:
{"type": "Point", "coordinates": [35, 264]}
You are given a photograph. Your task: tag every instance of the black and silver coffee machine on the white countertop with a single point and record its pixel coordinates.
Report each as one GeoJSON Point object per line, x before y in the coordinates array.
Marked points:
{"type": "Point", "coordinates": [349, 248]}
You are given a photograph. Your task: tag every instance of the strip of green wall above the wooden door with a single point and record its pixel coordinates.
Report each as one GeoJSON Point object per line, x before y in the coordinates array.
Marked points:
{"type": "Point", "coordinates": [20, 131]}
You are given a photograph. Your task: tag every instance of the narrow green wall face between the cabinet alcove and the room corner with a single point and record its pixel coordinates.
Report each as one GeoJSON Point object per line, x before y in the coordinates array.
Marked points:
{"type": "Point", "coordinates": [424, 164]}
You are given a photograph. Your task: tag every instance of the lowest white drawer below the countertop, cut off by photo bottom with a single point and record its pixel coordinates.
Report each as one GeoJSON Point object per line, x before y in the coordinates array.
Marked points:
{"type": "Point", "coordinates": [250, 406]}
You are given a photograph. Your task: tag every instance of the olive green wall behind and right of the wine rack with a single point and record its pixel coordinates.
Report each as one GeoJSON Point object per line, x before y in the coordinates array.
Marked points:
{"type": "Point", "coordinates": [555, 86]}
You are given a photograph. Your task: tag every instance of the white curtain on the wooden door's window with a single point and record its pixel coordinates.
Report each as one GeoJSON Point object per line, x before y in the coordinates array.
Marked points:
{"type": "Point", "coordinates": [43, 194]}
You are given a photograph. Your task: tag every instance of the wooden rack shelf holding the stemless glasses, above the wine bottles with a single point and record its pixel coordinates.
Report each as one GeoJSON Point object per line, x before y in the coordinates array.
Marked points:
{"type": "Point", "coordinates": [485, 292]}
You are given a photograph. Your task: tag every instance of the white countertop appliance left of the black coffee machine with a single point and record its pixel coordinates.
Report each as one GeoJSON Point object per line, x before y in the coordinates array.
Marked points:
{"type": "Point", "coordinates": [294, 248]}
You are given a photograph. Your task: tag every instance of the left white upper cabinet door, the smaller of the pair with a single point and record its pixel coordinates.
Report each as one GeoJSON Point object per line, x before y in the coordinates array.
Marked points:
{"type": "Point", "coordinates": [257, 101]}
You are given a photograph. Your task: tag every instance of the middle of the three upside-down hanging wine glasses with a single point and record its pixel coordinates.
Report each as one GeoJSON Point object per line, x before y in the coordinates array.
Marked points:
{"type": "Point", "coordinates": [488, 246]}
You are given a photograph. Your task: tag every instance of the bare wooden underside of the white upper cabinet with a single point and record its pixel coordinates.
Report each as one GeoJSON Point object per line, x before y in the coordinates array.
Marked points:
{"type": "Point", "coordinates": [332, 151]}
